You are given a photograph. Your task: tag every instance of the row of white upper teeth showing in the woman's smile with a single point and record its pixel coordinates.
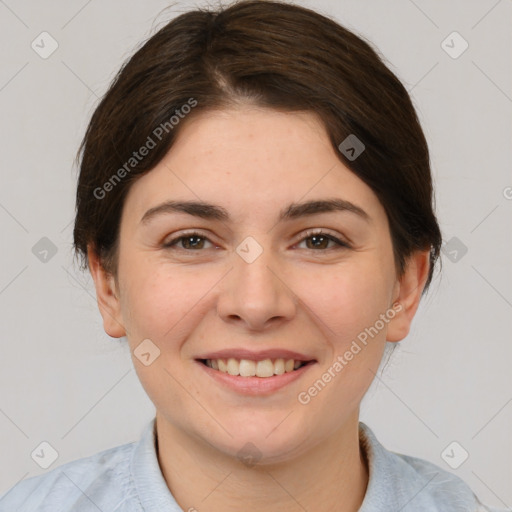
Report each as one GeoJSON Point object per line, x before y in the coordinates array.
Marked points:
{"type": "Point", "coordinates": [249, 368]}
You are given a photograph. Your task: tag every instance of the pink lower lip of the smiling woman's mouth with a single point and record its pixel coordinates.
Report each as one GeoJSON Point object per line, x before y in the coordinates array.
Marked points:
{"type": "Point", "coordinates": [255, 385]}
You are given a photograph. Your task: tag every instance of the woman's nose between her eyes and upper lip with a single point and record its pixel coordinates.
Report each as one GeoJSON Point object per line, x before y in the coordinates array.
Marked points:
{"type": "Point", "coordinates": [256, 294]}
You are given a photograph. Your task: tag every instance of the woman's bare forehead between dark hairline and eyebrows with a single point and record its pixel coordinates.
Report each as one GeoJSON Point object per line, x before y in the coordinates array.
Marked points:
{"type": "Point", "coordinates": [253, 159]}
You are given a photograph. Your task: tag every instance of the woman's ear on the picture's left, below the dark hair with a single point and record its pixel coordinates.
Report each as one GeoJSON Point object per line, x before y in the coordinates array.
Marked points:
{"type": "Point", "coordinates": [107, 296]}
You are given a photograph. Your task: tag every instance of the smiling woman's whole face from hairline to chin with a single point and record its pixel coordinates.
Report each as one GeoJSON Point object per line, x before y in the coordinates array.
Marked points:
{"type": "Point", "coordinates": [255, 284]}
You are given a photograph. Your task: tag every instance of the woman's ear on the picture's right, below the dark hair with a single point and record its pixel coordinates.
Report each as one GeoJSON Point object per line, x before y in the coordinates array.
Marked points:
{"type": "Point", "coordinates": [409, 288]}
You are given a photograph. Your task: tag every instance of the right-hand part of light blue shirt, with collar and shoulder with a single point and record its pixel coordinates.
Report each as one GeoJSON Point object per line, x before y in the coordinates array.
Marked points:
{"type": "Point", "coordinates": [413, 484]}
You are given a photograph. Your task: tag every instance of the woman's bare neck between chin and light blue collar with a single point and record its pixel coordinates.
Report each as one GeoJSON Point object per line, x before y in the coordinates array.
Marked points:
{"type": "Point", "coordinates": [331, 476]}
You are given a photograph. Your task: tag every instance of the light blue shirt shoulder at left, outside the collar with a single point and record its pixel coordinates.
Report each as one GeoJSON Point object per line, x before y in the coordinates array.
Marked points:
{"type": "Point", "coordinates": [81, 484]}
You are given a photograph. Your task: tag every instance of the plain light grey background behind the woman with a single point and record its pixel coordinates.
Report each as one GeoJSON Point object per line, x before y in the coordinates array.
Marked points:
{"type": "Point", "coordinates": [63, 380]}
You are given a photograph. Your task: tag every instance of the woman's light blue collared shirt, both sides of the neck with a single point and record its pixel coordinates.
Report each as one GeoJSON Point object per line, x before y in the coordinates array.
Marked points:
{"type": "Point", "coordinates": [128, 478]}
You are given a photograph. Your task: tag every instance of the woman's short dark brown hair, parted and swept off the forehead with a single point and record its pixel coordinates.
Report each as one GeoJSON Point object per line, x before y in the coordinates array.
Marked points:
{"type": "Point", "coordinates": [271, 54]}
